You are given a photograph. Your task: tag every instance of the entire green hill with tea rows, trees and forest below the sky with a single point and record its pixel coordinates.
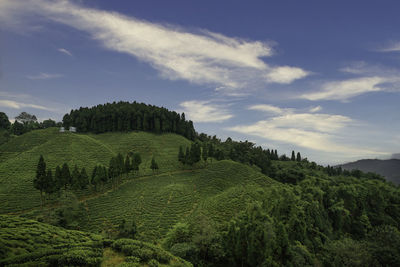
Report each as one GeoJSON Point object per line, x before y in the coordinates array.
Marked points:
{"type": "Point", "coordinates": [235, 205]}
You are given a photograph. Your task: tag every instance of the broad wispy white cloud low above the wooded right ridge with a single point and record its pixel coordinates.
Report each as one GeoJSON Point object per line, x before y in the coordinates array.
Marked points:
{"type": "Point", "coordinates": [316, 131]}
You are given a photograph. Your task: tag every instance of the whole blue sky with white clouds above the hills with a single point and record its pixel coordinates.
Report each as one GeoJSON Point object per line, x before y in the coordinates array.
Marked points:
{"type": "Point", "coordinates": [319, 77]}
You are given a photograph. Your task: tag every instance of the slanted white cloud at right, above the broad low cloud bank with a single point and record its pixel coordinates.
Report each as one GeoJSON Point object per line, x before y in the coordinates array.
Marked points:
{"type": "Point", "coordinates": [343, 90]}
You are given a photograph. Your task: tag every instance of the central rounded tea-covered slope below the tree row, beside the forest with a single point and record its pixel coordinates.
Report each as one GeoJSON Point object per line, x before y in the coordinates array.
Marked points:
{"type": "Point", "coordinates": [158, 202]}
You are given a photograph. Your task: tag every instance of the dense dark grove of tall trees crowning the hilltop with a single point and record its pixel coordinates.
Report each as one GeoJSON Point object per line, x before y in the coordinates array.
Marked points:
{"type": "Point", "coordinates": [126, 116]}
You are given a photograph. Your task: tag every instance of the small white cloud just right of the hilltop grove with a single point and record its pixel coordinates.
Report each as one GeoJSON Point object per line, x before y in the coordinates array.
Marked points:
{"type": "Point", "coordinates": [205, 111]}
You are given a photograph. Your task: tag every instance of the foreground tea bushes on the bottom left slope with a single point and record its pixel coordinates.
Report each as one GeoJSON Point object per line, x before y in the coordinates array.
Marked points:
{"type": "Point", "coordinates": [32, 243]}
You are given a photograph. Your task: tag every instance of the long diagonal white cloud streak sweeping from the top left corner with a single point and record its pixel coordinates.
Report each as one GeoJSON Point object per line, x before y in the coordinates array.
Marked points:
{"type": "Point", "coordinates": [203, 57]}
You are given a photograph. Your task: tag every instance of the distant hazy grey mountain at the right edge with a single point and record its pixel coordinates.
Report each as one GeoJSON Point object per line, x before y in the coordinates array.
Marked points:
{"type": "Point", "coordinates": [390, 168]}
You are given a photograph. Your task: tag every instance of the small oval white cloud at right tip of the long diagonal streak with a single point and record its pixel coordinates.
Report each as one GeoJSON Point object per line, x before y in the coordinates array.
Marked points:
{"type": "Point", "coordinates": [286, 74]}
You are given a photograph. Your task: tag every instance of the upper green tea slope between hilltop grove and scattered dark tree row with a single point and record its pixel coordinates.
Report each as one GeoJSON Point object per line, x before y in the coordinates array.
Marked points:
{"type": "Point", "coordinates": [19, 157]}
